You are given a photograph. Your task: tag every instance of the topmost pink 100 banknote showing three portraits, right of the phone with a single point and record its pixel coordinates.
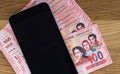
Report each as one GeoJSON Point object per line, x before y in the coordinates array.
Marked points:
{"type": "Point", "coordinates": [88, 50]}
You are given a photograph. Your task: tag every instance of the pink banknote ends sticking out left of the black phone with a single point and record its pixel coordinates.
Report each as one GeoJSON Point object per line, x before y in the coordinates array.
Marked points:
{"type": "Point", "coordinates": [11, 50]}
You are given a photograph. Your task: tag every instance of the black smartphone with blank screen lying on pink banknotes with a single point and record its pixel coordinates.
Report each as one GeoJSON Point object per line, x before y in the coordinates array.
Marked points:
{"type": "Point", "coordinates": [41, 42]}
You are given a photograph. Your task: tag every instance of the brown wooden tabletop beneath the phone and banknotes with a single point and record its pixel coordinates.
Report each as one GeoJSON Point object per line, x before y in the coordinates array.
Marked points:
{"type": "Point", "coordinates": [106, 13]}
